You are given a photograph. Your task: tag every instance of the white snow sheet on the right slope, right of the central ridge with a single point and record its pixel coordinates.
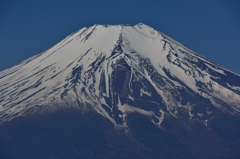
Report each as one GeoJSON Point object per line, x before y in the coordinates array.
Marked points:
{"type": "Point", "coordinates": [150, 44]}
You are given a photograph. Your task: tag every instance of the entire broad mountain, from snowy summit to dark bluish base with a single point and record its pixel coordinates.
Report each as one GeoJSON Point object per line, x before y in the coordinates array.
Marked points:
{"type": "Point", "coordinates": [119, 91]}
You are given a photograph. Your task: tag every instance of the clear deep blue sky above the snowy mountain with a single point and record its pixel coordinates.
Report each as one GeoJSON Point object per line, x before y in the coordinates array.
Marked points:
{"type": "Point", "coordinates": [209, 27]}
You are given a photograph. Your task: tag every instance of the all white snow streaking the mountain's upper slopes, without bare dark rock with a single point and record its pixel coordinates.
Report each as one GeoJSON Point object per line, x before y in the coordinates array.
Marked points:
{"type": "Point", "coordinates": [45, 78]}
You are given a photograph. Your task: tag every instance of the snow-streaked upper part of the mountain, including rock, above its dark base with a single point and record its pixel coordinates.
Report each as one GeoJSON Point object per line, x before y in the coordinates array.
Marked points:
{"type": "Point", "coordinates": [116, 70]}
